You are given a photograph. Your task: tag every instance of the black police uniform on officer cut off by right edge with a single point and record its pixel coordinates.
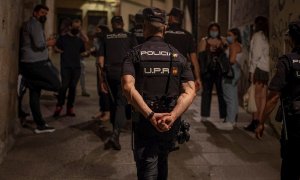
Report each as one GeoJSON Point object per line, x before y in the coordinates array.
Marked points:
{"type": "Point", "coordinates": [287, 81]}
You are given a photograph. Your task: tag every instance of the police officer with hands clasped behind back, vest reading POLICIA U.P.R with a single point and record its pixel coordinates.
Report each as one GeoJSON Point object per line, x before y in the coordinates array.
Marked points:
{"type": "Point", "coordinates": [159, 84]}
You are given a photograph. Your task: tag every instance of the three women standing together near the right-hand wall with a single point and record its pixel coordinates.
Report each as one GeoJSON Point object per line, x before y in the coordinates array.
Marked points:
{"type": "Point", "coordinates": [215, 52]}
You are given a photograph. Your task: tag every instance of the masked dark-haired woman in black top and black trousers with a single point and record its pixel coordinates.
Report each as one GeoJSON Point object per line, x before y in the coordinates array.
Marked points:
{"type": "Point", "coordinates": [211, 50]}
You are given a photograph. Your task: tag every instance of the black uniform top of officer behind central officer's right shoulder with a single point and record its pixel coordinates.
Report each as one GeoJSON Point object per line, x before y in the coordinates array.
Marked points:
{"type": "Point", "coordinates": [182, 40]}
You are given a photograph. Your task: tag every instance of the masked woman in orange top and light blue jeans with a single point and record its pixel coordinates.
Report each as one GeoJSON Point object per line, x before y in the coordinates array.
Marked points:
{"type": "Point", "coordinates": [230, 80]}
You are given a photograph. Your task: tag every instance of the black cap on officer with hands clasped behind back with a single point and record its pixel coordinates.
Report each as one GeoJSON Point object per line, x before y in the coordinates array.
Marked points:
{"type": "Point", "coordinates": [154, 15]}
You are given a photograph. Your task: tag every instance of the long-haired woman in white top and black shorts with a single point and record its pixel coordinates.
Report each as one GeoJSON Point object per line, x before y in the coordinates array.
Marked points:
{"type": "Point", "coordinates": [259, 62]}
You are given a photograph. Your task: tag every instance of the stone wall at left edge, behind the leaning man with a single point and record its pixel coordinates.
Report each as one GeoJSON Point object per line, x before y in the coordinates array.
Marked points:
{"type": "Point", "coordinates": [11, 17]}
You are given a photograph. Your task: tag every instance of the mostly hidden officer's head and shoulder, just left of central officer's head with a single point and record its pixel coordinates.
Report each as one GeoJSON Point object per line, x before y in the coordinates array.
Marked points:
{"type": "Point", "coordinates": [138, 28]}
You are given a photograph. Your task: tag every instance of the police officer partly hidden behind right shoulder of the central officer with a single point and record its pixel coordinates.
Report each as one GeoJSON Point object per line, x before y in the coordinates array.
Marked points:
{"type": "Point", "coordinates": [183, 41]}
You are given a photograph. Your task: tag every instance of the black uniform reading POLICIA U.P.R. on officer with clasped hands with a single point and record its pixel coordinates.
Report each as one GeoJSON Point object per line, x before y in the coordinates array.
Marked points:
{"type": "Point", "coordinates": [150, 63]}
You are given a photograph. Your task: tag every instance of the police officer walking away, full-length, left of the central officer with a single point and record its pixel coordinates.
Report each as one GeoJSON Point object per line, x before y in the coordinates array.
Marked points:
{"type": "Point", "coordinates": [113, 50]}
